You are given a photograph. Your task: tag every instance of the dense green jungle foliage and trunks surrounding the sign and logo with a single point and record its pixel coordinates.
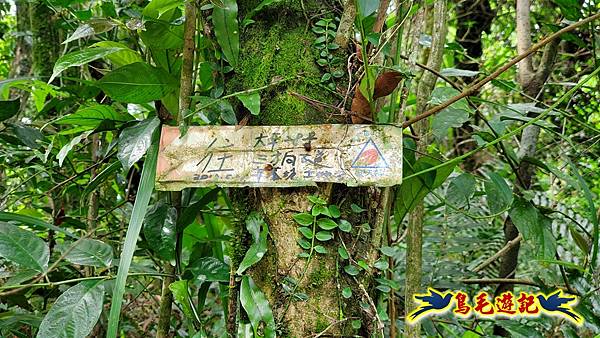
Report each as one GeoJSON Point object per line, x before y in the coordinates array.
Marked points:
{"type": "Point", "coordinates": [499, 103]}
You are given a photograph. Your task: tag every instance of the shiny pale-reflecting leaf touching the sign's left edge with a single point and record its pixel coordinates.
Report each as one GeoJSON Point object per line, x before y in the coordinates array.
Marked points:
{"type": "Point", "coordinates": [134, 141]}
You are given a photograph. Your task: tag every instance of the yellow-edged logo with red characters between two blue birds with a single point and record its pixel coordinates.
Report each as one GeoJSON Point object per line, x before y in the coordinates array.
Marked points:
{"type": "Point", "coordinates": [506, 305]}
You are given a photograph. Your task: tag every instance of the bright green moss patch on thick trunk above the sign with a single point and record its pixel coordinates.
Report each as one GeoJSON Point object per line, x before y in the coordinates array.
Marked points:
{"type": "Point", "coordinates": [282, 50]}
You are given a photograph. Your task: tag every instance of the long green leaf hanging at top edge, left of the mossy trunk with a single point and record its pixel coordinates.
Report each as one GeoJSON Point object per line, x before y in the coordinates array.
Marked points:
{"type": "Point", "coordinates": [227, 31]}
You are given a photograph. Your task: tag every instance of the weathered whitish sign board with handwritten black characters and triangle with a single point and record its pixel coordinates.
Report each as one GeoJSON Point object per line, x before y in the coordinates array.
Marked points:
{"type": "Point", "coordinates": [280, 156]}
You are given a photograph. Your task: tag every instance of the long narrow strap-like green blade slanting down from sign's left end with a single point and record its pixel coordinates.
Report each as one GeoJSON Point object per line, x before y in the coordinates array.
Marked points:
{"type": "Point", "coordinates": [140, 206]}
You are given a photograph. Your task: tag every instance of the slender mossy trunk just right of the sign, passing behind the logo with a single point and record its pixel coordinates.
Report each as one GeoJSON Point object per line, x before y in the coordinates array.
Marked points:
{"type": "Point", "coordinates": [414, 238]}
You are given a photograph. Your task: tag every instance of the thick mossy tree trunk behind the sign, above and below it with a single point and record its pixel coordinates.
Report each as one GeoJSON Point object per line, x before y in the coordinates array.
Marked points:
{"type": "Point", "coordinates": [280, 45]}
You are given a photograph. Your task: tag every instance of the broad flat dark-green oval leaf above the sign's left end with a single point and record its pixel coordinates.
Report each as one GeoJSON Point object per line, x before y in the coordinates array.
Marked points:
{"type": "Point", "coordinates": [135, 83]}
